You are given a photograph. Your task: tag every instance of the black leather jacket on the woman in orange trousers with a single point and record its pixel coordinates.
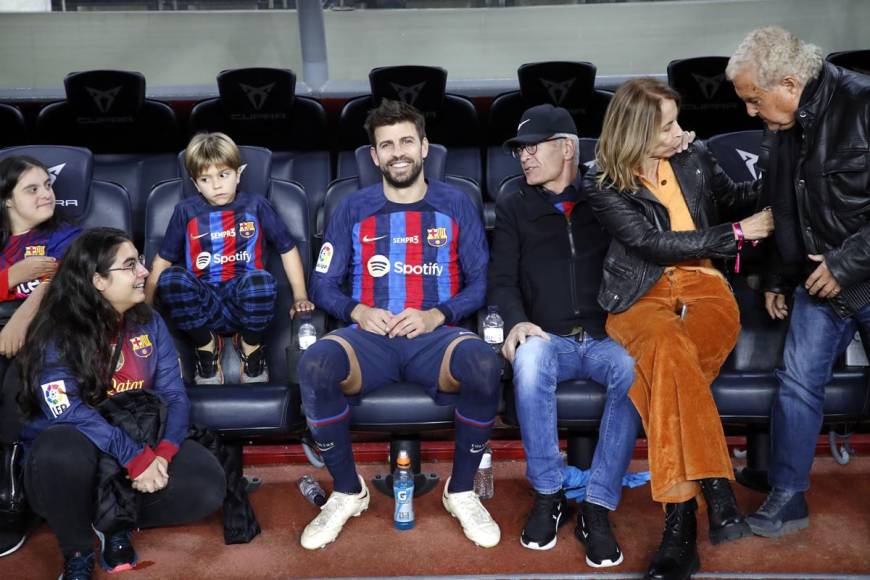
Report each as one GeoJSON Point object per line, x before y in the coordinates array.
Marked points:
{"type": "Point", "coordinates": [643, 243]}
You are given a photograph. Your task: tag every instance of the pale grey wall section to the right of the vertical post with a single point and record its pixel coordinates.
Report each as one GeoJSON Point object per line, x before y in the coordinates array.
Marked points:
{"type": "Point", "coordinates": [628, 38]}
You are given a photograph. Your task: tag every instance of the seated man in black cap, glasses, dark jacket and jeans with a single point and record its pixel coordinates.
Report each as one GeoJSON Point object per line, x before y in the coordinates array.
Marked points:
{"type": "Point", "coordinates": [547, 259]}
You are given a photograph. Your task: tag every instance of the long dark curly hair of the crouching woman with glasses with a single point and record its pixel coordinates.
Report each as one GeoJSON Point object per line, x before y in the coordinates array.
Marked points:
{"type": "Point", "coordinates": [77, 322]}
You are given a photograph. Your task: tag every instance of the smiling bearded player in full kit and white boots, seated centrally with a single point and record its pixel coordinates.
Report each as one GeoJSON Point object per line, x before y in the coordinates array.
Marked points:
{"type": "Point", "coordinates": [415, 256]}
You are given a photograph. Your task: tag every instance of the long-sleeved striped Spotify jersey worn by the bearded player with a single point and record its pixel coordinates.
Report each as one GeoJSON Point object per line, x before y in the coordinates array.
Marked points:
{"type": "Point", "coordinates": [430, 254]}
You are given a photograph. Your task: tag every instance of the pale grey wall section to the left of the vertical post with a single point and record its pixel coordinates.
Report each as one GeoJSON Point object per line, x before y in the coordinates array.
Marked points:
{"type": "Point", "coordinates": [169, 48]}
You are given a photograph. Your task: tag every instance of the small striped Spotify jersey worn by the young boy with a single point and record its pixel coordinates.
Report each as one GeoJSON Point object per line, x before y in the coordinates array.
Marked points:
{"type": "Point", "coordinates": [218, 243]}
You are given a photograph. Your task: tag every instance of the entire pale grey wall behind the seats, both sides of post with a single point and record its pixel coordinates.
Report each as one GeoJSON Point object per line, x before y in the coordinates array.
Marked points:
{"type": "Point", "coordinates": [189, 48]}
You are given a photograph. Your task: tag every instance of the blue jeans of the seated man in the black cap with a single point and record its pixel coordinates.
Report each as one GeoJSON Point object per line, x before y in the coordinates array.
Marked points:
{"type": "Point", "coordinates": [539, 367]}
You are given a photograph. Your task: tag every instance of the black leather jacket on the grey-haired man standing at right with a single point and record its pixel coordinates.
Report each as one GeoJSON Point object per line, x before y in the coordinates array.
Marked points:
{"type": "Point", "coordinates": [832, 179]}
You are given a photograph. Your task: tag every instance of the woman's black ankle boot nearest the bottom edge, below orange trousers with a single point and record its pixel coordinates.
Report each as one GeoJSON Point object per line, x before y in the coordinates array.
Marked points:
{"type": "Point", "coordinates": [677, 558]}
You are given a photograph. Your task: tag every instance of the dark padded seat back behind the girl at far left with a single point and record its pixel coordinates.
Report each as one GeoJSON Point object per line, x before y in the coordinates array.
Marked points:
{"type": "Point", "coordinates": [88, 201]}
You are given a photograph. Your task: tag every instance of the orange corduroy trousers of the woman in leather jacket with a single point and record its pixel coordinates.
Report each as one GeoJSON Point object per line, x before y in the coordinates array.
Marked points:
{"type": "Point", "coordinates": [676, 360]}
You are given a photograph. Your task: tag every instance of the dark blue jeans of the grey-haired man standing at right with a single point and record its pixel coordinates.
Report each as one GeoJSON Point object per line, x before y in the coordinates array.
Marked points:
{"type": "Point", "coordinates": [816, 337]}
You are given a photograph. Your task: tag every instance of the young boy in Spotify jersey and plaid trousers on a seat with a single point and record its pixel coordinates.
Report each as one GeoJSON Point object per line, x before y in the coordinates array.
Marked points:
{"type": "Point", "coordinates": [219, 284]}
